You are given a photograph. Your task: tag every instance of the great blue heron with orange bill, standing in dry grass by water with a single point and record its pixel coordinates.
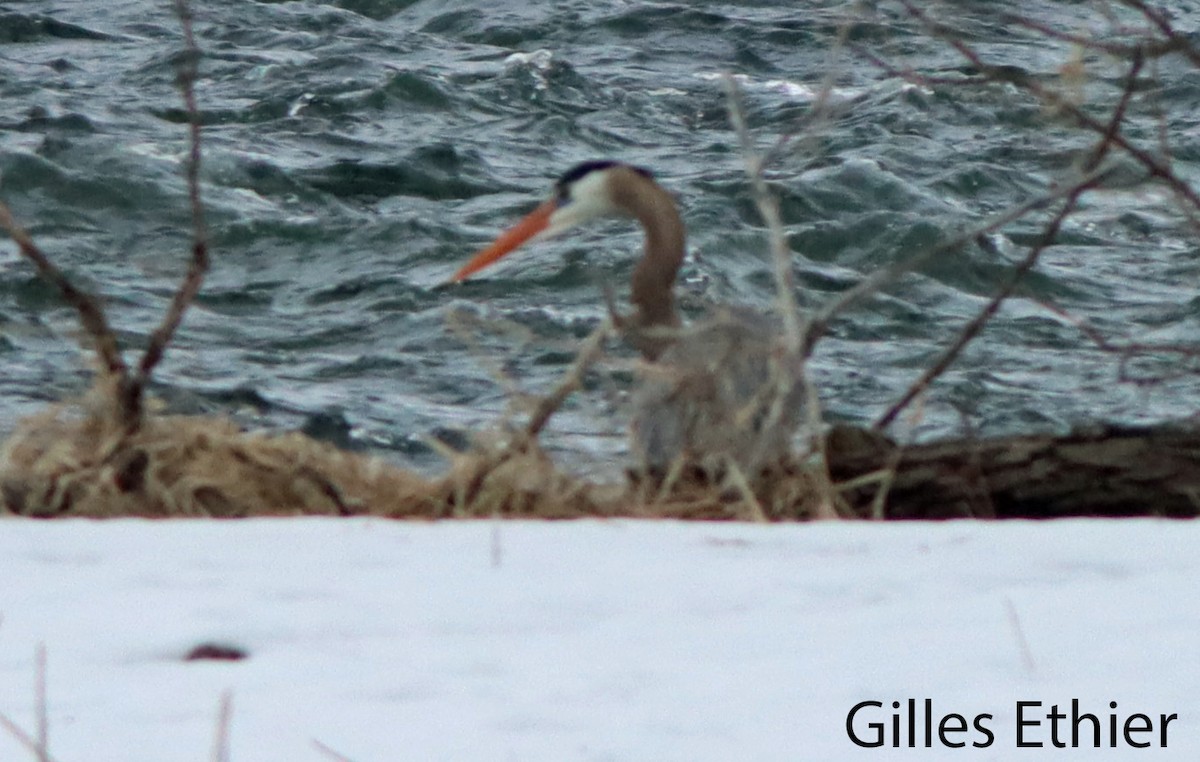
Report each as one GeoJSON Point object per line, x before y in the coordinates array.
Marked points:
{"type": "Point", "coordinates": [710, 394]}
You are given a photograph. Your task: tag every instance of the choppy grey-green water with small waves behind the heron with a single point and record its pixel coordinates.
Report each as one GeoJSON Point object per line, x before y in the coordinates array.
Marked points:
{"type": "Point", "coordinates": [357, 153]}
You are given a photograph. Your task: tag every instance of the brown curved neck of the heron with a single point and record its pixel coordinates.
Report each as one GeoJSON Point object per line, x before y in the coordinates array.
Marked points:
{"type": "Point", "coordinates": [653, 281]}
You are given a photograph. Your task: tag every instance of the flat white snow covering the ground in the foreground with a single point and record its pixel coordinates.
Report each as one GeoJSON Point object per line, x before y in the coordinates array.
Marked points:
{"type": "Point", "coordinates": [616, 640]}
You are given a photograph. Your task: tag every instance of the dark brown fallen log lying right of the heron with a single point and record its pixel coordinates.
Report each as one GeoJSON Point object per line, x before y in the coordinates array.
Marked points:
{"type": "Point", "coordinates": [1103, 471]}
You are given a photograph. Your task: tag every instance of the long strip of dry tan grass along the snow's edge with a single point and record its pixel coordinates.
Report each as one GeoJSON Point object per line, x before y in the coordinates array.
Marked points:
{"type": "Point", "coordinates": [77, 460]}
